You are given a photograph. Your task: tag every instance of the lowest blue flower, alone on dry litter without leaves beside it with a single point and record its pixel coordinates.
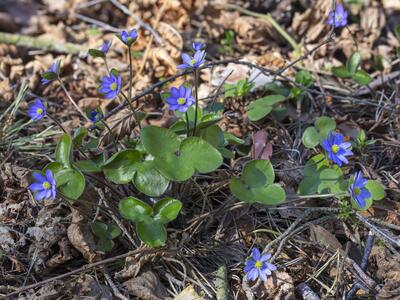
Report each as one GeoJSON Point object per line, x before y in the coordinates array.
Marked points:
{"type": "Point", "coordinates": [258, 267]}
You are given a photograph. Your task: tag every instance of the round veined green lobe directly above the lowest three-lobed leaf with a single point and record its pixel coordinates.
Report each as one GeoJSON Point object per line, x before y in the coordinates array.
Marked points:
{"type": "Point", "coordinates": [149, 180]}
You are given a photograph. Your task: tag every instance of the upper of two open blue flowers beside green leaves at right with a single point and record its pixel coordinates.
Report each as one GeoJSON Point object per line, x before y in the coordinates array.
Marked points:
{"type": "Point", "coordinates": [337, 149]}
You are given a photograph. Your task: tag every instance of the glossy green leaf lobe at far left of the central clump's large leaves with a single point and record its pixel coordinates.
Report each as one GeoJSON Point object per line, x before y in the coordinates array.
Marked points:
{"type": "Point", "coordinates": [121, 167]}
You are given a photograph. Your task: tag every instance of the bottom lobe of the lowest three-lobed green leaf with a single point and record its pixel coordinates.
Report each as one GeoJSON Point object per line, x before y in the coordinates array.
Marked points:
{"type": "Point", "coordinates": [152, 234]}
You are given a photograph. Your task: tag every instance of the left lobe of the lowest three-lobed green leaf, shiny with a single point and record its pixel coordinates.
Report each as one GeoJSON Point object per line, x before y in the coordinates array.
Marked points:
{"type": "Point", "coordinates": [135, 210]}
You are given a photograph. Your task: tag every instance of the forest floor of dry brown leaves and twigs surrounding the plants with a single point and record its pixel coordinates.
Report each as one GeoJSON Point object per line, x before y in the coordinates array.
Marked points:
{"type": "Point", "coordinates": [47, 249]}
